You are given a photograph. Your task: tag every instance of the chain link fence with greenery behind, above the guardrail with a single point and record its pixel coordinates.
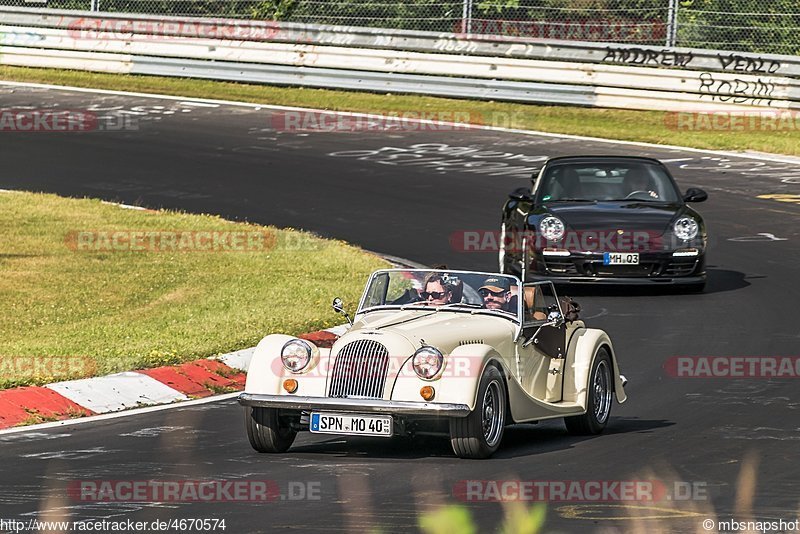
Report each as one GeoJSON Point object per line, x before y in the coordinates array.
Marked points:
{"type": "Point", "coordinates": [741, 25]}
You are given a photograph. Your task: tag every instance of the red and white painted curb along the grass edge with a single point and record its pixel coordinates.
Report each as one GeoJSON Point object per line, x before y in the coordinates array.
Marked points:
{"type": "Point", "coordinates": [200, 379]}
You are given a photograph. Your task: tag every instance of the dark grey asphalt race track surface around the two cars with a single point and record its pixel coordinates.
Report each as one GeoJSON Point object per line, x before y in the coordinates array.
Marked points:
{"type": "Point", "coordinates": [406, 193]}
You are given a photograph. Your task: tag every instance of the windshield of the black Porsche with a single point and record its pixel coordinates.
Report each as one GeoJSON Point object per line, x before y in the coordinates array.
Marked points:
{"type": "Point", "coordinates": [597, 182]}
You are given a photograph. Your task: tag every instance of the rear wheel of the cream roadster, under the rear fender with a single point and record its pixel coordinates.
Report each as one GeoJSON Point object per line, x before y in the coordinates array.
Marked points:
{"type": "Point", "coordinates": [600, 398]}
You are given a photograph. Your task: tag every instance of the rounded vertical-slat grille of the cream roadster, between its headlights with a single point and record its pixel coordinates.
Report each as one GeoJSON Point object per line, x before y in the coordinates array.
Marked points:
{"type": "Point", "coordinates": [360, 370]}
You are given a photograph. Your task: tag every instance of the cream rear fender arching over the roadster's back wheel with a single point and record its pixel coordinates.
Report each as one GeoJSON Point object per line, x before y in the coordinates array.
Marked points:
{"type": "Point", "coordinates": [584, 346]}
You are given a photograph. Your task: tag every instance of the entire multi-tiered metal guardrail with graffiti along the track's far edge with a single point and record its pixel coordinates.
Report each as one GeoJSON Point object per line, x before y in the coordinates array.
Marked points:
{"type": "Point", "coordinates": [553, 72]}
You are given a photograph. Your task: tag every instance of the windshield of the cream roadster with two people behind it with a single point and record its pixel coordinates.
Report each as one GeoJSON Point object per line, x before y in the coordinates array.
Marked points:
{"type": "Point", "coordinates": [438, 289]}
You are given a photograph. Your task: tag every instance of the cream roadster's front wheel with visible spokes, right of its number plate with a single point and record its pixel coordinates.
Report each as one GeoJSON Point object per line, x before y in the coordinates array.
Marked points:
{"type": "Point", "coordinates": [479, 434]}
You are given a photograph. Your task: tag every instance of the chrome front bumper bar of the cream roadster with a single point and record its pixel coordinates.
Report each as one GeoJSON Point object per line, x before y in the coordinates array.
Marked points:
{"type": "Point", "coordinates": [345, 405]}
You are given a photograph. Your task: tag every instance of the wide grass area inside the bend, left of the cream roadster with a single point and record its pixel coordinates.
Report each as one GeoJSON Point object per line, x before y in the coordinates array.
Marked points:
{"type": "Point", "coordinates": [75, 303]}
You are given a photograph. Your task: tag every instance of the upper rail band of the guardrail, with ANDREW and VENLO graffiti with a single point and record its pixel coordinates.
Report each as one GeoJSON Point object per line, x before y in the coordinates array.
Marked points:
{"type": "Point", "coordinates": [430, 42]}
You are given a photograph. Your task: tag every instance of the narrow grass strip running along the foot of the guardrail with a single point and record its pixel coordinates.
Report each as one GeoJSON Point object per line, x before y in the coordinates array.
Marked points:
{"type": "Point", "coordinates": [647, 126]}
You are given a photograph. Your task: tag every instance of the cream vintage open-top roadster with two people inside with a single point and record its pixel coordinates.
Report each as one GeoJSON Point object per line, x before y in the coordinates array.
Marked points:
{"type": "Point", "coordinates": [427, 351]}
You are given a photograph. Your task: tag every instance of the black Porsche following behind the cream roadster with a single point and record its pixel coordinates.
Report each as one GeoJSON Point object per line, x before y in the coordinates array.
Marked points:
{"type": "Point", "coordinates": [605, 219]}
